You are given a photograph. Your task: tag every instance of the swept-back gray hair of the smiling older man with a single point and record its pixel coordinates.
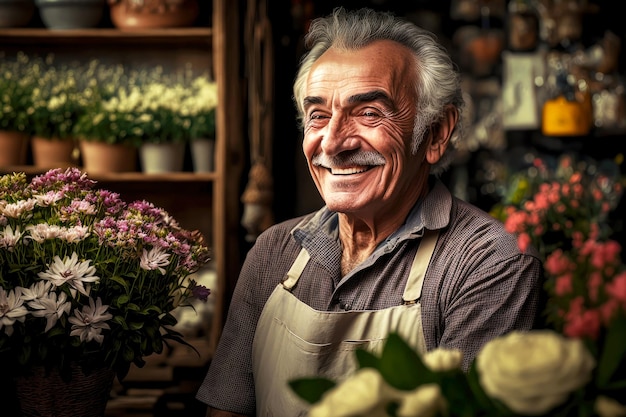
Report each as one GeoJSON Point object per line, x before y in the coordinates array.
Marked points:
{"type": "Point", "coordinates": [437, 80]}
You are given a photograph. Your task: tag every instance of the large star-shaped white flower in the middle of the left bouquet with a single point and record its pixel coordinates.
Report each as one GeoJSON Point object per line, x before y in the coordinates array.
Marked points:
{"type": "Point", "coordinates": [70, 271]}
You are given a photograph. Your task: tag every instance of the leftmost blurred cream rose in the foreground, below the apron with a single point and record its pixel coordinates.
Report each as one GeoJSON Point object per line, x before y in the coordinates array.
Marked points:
{"type": "Point", "coordinates": [363, 394]}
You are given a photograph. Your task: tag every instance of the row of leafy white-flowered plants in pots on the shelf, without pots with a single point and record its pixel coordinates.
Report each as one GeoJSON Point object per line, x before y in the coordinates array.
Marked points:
{"type": "Point", "coordinates": [107, 103]}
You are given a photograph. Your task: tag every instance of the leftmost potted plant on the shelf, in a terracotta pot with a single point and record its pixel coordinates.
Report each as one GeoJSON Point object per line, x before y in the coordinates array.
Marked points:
{"type": "Point", "coordinates": [16, 86]}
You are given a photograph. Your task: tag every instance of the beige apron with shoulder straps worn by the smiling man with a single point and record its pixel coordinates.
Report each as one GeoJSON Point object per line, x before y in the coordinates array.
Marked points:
{"type": "Point", "coordinates": [293, 340]}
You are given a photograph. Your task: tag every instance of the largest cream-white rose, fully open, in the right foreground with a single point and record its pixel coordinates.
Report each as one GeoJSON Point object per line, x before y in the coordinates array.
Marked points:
{"type": "Point", "coordinates": [532, 372]}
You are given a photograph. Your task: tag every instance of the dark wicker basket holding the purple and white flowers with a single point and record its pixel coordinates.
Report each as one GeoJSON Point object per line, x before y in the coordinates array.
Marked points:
{"type": "Point", "coordinates": [49, 395]}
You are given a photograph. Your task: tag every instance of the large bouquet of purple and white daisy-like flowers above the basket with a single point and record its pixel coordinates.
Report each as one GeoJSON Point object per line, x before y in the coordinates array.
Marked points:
{"type": "Point", "coordinates": [88, 277]}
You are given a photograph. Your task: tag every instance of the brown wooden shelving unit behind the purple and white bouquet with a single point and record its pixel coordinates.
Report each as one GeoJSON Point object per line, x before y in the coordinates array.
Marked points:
{"type": "Point", "coordinates": [208, 201]}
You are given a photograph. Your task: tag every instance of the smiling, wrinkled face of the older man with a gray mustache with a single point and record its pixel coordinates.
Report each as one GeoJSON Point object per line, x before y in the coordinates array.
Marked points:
{"type": "Point", "coordinates": [358, 125]}
